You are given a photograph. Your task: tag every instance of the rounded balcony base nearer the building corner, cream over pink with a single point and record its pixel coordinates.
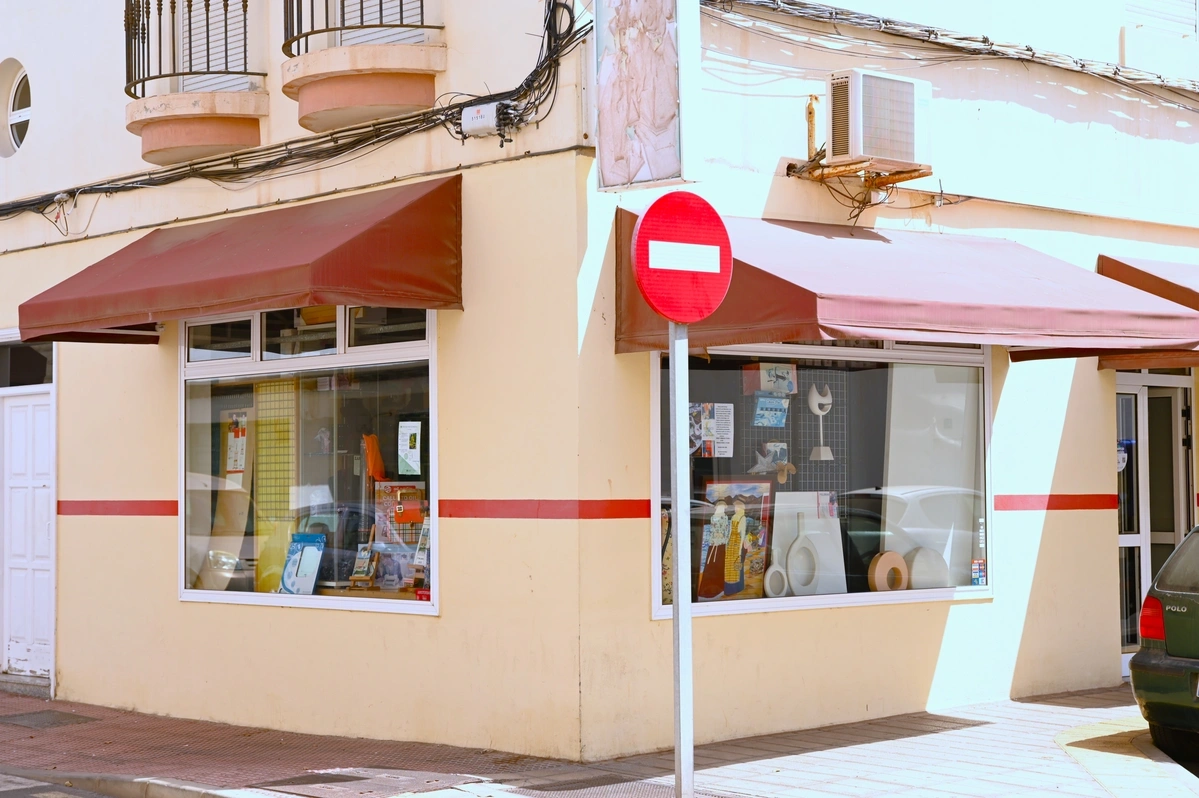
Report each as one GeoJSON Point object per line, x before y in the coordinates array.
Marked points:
{"type": "Point", "coordinates": [348, 86]}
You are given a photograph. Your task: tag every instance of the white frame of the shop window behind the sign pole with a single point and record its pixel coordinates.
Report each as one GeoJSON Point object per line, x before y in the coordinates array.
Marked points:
{"type": "Point", "coordinates": [914, 354]}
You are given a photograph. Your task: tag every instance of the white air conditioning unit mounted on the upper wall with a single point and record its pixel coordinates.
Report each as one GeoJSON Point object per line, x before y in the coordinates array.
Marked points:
{"type": "Point", "coordinates": [881, 118]}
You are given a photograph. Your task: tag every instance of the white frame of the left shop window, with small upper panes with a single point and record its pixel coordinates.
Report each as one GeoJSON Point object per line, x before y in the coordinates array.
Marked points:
{"type": "Point", "coordinates": [346, 358]}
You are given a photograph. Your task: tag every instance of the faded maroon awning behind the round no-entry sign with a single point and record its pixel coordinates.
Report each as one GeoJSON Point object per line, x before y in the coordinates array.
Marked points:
{"type": "Point", "coordinates": [809, 282]}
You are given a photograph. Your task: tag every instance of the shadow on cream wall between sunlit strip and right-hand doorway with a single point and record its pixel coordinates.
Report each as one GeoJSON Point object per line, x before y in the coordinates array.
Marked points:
{"type": "Point", "coordinates": [1071, 637]}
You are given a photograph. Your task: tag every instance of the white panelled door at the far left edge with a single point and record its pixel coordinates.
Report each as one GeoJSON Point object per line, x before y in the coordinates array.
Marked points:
{"type": "Point", "coordinates": [28, 509]}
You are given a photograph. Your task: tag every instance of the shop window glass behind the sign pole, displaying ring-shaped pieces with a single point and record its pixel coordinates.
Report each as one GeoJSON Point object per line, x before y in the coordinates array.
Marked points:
{"type": "Point", "coordinates": [824, 477]}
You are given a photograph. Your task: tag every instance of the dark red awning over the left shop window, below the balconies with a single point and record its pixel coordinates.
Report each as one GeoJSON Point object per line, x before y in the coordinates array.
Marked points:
{"type": "Point", "coordinates": [397, 249]}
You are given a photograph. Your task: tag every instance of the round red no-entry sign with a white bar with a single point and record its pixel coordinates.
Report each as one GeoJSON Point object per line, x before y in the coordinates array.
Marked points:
{"type": "Point", "coordinates": [683, 259]}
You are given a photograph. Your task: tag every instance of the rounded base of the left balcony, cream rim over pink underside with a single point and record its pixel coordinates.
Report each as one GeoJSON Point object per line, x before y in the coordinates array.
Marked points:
{"type": "Point", "coordinates": [196, 125]}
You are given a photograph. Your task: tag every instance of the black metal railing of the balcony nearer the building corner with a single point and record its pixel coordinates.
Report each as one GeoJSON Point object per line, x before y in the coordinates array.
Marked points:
{"type": "Point", "coordinates": [317, 25]}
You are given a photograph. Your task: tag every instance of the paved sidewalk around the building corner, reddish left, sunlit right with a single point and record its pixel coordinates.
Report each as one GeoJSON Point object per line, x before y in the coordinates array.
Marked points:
{"type": "Point", "coordinates": [1077, 745]}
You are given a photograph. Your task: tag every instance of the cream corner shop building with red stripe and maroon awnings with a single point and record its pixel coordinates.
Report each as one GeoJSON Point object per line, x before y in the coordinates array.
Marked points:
{"type": "Point", "coordinates": [358, 403]}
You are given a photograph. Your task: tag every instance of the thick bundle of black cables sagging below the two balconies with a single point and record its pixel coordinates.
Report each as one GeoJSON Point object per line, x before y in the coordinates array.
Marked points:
{"type": "Point", "coordinates": [526, 105]}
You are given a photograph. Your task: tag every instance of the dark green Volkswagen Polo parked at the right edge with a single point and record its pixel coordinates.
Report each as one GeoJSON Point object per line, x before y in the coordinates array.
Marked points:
{"type": "Point", "coordinates": [1165, 669]}
